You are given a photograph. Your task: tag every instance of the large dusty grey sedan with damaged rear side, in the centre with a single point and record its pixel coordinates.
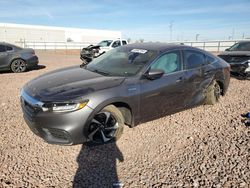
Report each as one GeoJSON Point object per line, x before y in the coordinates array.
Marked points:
{"type": "Point", "coordinates": [128, 85]}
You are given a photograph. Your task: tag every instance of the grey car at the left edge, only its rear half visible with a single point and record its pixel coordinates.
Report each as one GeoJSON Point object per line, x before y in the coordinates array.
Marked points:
{"type": "Point", "coordinates": [16, 59]}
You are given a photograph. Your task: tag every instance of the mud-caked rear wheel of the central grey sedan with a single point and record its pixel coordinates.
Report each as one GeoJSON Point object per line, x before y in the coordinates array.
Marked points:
{"type": "Point", "coordinates": [213, 93]}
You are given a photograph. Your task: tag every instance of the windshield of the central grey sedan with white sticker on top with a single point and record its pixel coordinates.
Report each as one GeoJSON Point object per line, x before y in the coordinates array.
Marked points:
{"type": "Point", "coordinates": [122, 61]}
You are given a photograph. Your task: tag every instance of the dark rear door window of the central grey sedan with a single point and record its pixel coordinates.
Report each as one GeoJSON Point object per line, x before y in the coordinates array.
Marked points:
{"type": "Point", "coordinates": [193, 59]}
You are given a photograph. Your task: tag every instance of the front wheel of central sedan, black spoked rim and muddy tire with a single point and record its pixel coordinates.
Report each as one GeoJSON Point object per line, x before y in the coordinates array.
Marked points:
{"type": "Point", "coordinates": [106, 126]}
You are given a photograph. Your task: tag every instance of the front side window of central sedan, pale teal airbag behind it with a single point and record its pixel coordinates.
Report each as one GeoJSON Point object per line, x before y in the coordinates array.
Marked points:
{"type": "Point", "coordinates": [169, 62]}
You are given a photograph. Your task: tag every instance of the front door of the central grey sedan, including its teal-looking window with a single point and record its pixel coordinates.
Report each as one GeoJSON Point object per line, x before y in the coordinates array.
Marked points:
{"type": "Point", "coordinates": [166, 94]}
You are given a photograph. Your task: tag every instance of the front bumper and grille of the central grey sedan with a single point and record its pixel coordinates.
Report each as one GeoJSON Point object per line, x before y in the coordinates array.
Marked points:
{"type": "Point", "coordinates": [55, 128]}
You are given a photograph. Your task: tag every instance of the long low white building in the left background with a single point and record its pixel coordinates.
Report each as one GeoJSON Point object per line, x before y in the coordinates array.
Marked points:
{"type": "Point", "coordinates": [22, 34]}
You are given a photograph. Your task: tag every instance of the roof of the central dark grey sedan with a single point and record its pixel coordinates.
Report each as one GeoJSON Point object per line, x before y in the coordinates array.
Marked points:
{"type": "Point", "coordinates": [157, 46]}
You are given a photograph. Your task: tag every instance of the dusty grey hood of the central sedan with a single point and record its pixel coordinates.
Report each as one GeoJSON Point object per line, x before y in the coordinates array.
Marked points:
{"type": "Point", "coordinates": [68, 84]}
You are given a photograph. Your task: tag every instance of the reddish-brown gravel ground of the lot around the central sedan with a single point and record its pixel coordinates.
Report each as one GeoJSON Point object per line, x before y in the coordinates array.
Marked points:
{"type": "Point", "coordinates": [205, 146]}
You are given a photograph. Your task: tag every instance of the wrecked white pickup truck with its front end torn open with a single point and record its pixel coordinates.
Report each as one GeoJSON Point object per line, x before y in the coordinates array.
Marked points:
{"type": "Point", "coordinates": [93, 51]}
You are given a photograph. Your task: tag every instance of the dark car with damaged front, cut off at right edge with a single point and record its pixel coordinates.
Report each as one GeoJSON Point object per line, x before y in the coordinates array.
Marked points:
{"type": "Point", "coordinates": [238, 56]}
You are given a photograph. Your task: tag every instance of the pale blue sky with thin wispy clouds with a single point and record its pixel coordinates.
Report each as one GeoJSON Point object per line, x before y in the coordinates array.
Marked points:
{"type": "Point", "coordinates": [138, 19]}
